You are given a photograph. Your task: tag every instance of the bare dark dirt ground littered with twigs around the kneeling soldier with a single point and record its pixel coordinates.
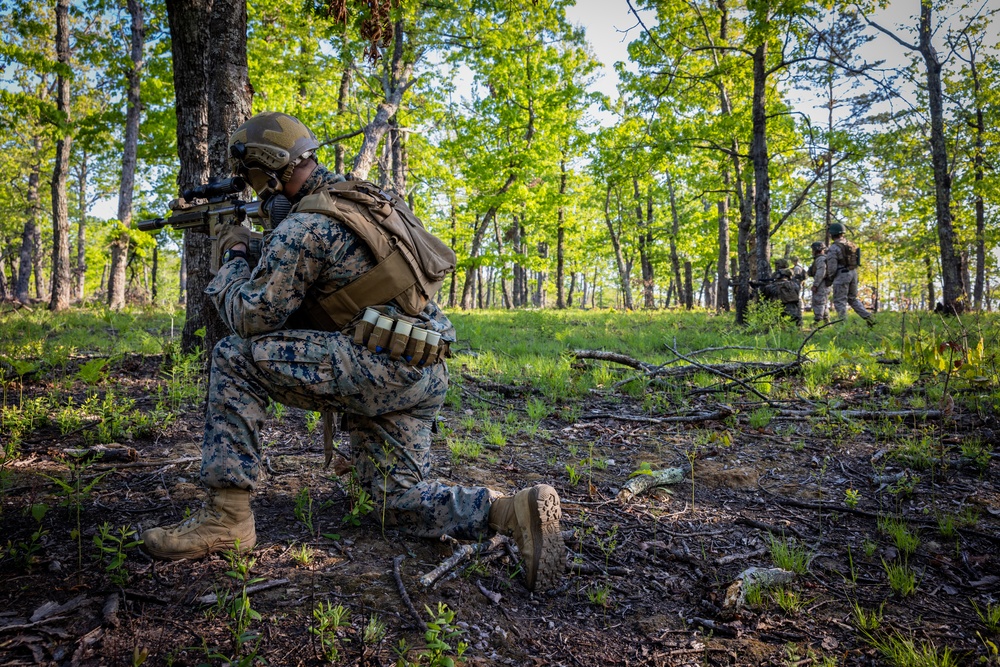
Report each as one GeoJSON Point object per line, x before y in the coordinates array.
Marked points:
{"type": "Point", "coordinates": [646, 577]}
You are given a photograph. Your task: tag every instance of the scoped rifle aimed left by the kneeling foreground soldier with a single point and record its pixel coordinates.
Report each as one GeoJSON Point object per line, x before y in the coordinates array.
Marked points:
{"type": "Point", "coordinates": [207, 207]}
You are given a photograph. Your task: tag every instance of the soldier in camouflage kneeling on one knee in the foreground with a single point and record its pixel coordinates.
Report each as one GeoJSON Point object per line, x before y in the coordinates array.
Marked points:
{"type": "Point", "coordinates": [335, 317]}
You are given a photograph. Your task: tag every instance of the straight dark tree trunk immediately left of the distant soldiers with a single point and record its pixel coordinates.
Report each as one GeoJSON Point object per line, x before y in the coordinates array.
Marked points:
{"type": "Point", "coordinates": [758, 154]}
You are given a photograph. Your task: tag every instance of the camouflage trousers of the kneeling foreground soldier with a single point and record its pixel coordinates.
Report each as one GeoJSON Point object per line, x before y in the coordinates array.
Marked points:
{"type": "Point", "coordinates": [390, 405]}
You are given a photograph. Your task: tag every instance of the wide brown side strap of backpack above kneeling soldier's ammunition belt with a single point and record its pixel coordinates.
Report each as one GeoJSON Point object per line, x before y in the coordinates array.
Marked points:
{"type": "Point", "coordinates": [390, 278]}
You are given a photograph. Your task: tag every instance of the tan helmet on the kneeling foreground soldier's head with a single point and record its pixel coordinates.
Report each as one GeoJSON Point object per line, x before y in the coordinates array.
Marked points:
{"type": "Point", "coordinates": [266, 149]}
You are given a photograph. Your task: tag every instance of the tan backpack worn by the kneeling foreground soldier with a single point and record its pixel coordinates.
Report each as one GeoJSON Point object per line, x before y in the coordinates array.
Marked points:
{"type": "Point", "coordinates": [412, 262]}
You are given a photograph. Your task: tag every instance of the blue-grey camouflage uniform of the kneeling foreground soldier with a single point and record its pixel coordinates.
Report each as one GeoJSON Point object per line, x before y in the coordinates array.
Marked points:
{"type": "Point", "coordinates": [391, 406]}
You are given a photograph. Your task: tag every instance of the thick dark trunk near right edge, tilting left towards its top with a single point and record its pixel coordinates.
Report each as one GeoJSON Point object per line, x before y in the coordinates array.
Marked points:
{"type": "Point", "coordinates": [954, 295]}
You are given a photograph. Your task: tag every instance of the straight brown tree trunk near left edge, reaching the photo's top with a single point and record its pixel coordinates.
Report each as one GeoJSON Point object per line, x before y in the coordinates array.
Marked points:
{"type": "Point", "coordinates": [62, 284]}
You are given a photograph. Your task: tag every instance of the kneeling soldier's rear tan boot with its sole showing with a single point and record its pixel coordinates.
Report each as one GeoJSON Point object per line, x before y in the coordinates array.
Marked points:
{"type": "Point", "coordinates": [531, 517]}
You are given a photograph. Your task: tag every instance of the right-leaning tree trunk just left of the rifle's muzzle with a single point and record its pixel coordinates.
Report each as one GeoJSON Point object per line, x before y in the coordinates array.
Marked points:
{"type": "Point", "coordinates": [120, 242]}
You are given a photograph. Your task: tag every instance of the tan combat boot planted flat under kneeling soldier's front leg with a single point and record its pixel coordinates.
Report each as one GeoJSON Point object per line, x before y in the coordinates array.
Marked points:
{"type": "Point", "coordinates": [225, 518]}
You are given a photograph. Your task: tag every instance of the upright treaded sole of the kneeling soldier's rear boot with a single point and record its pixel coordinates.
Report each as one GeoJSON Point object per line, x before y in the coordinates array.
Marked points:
{"type": "Point", "coordinates": [543, 540]}
